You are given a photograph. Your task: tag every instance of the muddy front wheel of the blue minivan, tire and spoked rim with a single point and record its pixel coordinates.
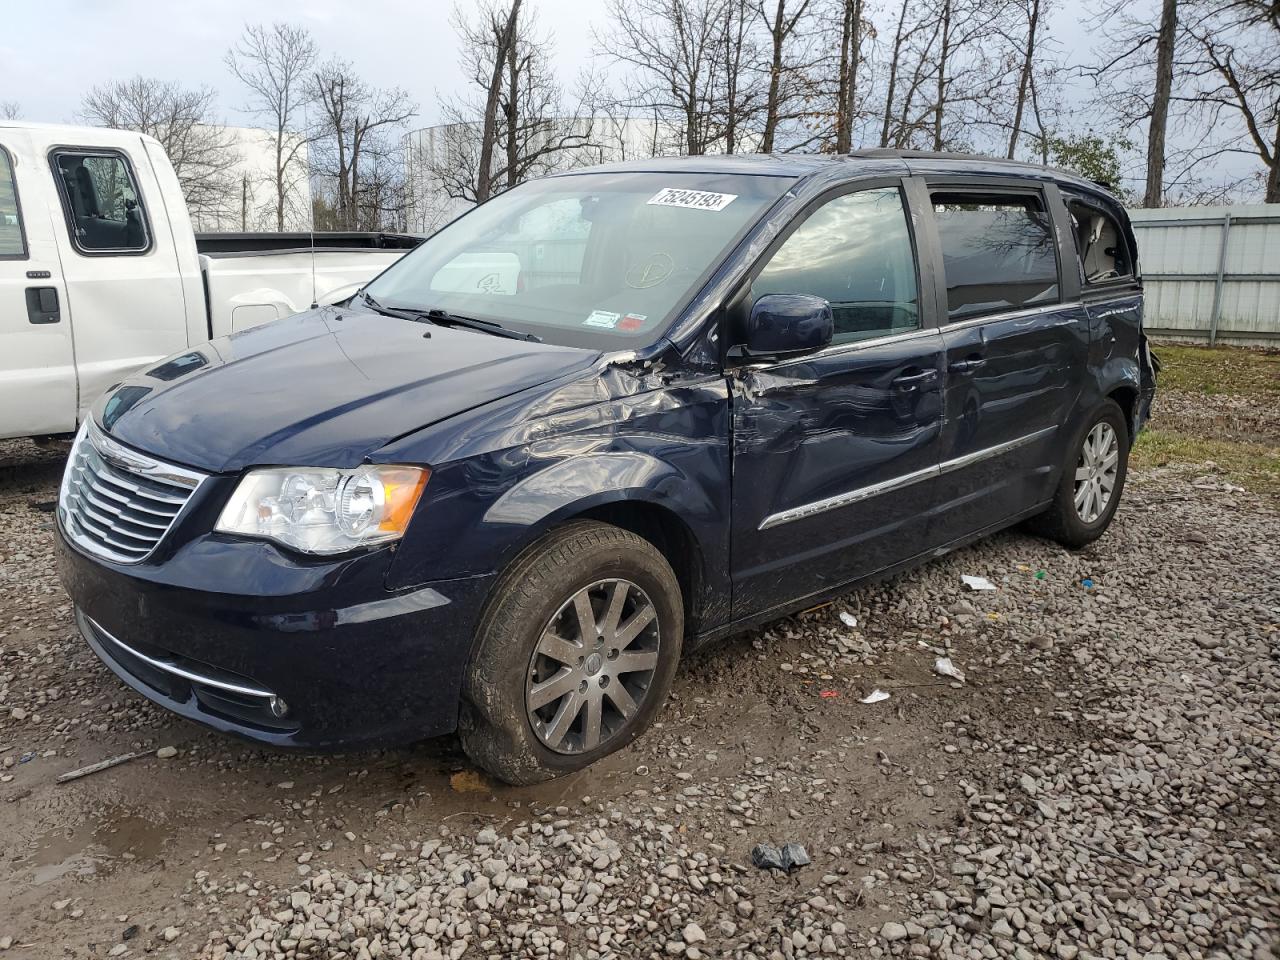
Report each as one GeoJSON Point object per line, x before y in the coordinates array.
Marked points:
{"type": "Point", "coordinates": [525, 653]}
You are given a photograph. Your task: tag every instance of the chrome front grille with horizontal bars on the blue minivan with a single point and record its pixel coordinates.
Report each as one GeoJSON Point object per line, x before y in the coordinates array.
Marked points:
{"type": "Point", "coordinates": [118, 504]}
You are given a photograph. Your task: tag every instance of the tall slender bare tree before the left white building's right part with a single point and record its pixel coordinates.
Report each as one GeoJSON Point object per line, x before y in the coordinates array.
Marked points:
{"type": "Point", "coordinates": [275, 63]}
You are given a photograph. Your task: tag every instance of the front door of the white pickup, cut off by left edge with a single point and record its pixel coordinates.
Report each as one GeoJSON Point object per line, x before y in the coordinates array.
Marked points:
{"type": "Point", "coordinates": [38, 362]}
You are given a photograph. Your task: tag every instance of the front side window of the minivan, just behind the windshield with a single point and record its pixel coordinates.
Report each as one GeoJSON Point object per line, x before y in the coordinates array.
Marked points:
{"type": "Point", "coordinates": [856, 252]}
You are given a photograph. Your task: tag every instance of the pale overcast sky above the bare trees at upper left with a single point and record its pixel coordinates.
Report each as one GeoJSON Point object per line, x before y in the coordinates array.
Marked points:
{"type": "Point", "coordinates": [392, 44]}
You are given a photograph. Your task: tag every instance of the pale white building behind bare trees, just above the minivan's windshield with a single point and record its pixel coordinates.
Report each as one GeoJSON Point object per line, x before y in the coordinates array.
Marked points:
{"type": "Point", "coordinates": [445, 147]}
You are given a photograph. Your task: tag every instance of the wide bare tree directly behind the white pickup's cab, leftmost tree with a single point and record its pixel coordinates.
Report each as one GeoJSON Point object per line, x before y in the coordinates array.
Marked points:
{"type": "Point", "coordinates": [200, 149]}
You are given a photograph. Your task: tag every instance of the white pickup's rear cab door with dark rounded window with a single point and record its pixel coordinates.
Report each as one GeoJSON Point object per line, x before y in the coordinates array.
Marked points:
{"type": "Point", "coordinates": [120, 263]}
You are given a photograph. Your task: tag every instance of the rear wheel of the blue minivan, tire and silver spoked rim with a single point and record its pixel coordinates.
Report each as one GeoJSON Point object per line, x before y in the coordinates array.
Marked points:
{"type": "Point", "coordinates": [1094, 477]}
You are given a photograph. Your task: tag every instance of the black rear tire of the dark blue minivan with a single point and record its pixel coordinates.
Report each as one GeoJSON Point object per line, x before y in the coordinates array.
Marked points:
{"type": "Point", "coordinates": [1064, 522]}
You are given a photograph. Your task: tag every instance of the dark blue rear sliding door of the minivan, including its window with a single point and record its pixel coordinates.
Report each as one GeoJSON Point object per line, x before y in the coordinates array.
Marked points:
{"type": "Point", "coordinates": [1017, 342]}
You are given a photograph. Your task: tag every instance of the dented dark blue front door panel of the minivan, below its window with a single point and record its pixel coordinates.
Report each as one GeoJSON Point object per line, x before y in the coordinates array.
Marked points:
{"type": "Point", "coordinates": [834, 461]}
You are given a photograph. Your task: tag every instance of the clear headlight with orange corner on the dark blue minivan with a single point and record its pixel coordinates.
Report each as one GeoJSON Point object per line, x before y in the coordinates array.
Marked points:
{"type": "Point", "coordinates": [319, 510]}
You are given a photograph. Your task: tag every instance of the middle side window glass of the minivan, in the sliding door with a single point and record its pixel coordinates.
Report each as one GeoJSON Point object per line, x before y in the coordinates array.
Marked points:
{"type": "Point", "coordinates": [998, 253]}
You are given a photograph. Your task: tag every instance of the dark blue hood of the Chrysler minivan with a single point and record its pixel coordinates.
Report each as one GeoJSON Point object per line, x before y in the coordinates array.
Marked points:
{"type": "Point", "coordinates": [321, 391]}
